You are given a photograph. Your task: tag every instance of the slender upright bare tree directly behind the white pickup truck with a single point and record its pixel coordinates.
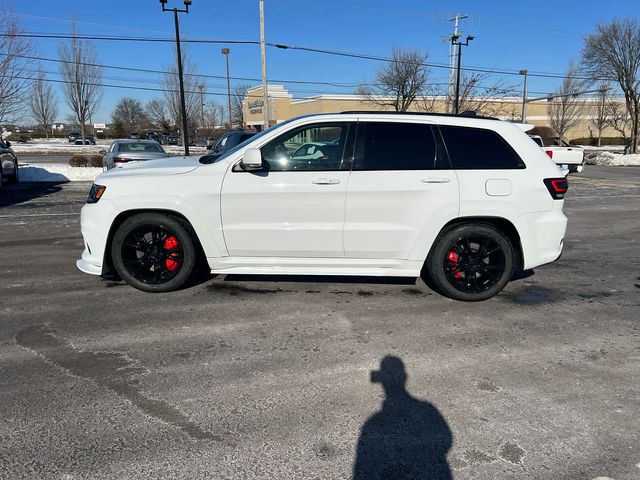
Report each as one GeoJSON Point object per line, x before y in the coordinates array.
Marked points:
{"type": "Point", "coordinates": [565, 108]}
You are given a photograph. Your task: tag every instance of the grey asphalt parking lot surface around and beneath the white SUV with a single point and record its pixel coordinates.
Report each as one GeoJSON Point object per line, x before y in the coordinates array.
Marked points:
{"type": "Point", "coordinates": [252, 378]}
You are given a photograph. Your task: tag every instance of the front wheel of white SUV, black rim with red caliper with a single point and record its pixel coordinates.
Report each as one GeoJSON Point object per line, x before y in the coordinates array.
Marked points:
{"type": "Point", "coordinates": [154, 252]}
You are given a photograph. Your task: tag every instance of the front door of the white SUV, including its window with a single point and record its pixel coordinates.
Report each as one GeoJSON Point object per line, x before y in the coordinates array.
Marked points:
{"type": "Point", "coordinates": [295, 207]}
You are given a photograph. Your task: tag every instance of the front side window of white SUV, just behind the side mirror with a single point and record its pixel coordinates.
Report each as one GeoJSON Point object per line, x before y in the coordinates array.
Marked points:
{"type": "Point", "coordinates": [316, 147]}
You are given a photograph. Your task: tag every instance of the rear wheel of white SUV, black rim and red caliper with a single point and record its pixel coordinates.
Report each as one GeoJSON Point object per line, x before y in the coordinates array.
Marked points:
{"type": "Point", "coordinates": [471, 262]}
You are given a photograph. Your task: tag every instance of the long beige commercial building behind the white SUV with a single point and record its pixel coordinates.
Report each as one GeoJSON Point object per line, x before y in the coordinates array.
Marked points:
{"type": "Point", "coordinates": [283, 106]}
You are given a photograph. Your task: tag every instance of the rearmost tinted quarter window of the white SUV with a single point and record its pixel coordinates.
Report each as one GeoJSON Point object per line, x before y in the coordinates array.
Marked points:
{"type": "Point", "coordinates": [477, 148]}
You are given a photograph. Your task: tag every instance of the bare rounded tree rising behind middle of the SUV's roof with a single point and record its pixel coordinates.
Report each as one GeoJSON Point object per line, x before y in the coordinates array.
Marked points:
{"type": "Point", "coordinates": [400, 82]}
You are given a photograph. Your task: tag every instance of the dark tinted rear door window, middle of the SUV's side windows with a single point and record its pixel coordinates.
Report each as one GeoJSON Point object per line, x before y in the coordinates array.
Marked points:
{"type": "Point", "coordinates": [396, 146]}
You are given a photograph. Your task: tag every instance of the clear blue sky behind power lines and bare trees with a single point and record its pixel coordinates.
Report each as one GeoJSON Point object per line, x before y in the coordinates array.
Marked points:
{"type": "Point", "coordinates": [541, 37]}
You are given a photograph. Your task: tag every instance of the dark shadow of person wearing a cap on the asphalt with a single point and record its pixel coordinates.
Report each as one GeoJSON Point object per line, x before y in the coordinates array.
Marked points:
{"type": "Point", "coordinates": [408, 439]}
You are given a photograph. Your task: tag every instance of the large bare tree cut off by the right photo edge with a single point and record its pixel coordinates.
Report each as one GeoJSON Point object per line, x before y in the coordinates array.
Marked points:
{"type": "Point", "coordinates": [614, 52]}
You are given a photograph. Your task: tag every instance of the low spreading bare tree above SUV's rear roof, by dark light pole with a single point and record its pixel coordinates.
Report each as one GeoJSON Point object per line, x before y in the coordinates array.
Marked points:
{"type": "Point", "coordinates": [483, 100]}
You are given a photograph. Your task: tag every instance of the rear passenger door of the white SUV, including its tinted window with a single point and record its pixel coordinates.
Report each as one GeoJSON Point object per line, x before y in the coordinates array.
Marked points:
{"type": "Point", "coordinates": [400, 186]}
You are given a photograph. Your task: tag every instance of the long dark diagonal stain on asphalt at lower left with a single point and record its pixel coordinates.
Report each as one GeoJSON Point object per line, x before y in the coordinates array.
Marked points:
{"type": "Point", "coordinates": [112, 370]}
